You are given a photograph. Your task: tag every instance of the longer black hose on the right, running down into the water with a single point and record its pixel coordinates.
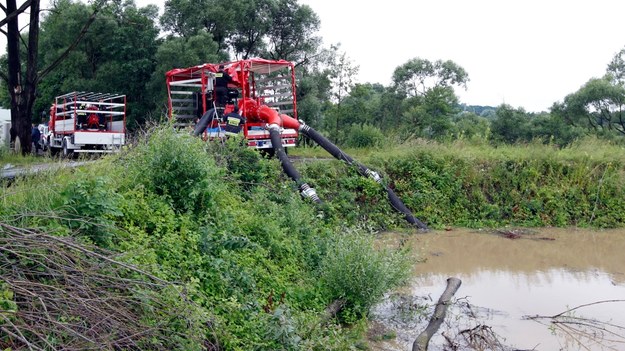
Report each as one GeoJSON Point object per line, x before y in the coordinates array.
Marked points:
{"type": "Point", "coordinates": [364, 171]}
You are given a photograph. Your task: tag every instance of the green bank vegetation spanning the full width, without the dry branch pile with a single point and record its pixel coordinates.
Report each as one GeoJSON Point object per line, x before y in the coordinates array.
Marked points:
{"type": "Point", "coordinates": [227, 226]}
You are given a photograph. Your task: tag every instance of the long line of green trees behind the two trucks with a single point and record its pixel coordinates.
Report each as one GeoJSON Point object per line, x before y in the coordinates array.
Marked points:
{"type": "Point", "coordinates": [115, 46]}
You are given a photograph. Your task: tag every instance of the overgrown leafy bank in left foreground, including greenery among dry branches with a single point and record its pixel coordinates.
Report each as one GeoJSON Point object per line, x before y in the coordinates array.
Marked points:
{"type": "Point", "coordinates": [233, 244]}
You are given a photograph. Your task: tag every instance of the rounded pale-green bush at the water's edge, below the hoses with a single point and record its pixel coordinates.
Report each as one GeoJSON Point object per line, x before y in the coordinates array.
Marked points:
{"type": "Point", "coordinates": [355, 271]}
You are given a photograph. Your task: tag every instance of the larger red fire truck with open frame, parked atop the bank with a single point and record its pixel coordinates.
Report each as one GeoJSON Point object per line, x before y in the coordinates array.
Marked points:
{"type": "Point", "coordinates": [192, 94]}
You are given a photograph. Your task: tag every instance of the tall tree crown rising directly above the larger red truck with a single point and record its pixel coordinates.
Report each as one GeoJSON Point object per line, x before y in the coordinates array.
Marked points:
{"type": "Point", "coordinates": [274, 29]}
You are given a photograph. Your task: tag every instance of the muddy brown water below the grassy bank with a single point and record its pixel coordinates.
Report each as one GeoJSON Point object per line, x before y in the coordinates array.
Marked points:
{"type": "Point", "coordinates": [541, 272]}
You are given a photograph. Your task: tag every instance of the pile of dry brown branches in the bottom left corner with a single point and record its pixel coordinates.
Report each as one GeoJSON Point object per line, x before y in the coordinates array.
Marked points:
{"type": "Point", "coordinates": [56, 293]}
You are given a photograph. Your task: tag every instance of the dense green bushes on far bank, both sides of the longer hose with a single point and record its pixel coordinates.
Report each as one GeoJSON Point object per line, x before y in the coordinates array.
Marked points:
{"type": "Point", "coordinates": [477, 185]}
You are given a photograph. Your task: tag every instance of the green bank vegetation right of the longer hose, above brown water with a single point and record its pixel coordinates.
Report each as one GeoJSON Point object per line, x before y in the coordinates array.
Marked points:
{"type": "Point", "coordinates": [535, 185]}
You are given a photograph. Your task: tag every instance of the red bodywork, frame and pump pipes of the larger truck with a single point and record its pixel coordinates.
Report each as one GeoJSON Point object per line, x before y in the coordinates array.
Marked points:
{"type": "Point", "coordinates": [267, 95]}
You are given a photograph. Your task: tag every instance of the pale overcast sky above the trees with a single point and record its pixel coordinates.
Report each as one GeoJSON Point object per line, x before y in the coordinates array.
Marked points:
{"type": "Point", "coordinates": [528, 53]}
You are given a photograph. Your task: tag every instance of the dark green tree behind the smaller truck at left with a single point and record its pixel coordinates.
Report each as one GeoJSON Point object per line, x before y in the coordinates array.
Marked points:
{"type": "Point", "coordinates": [117, 55]}
